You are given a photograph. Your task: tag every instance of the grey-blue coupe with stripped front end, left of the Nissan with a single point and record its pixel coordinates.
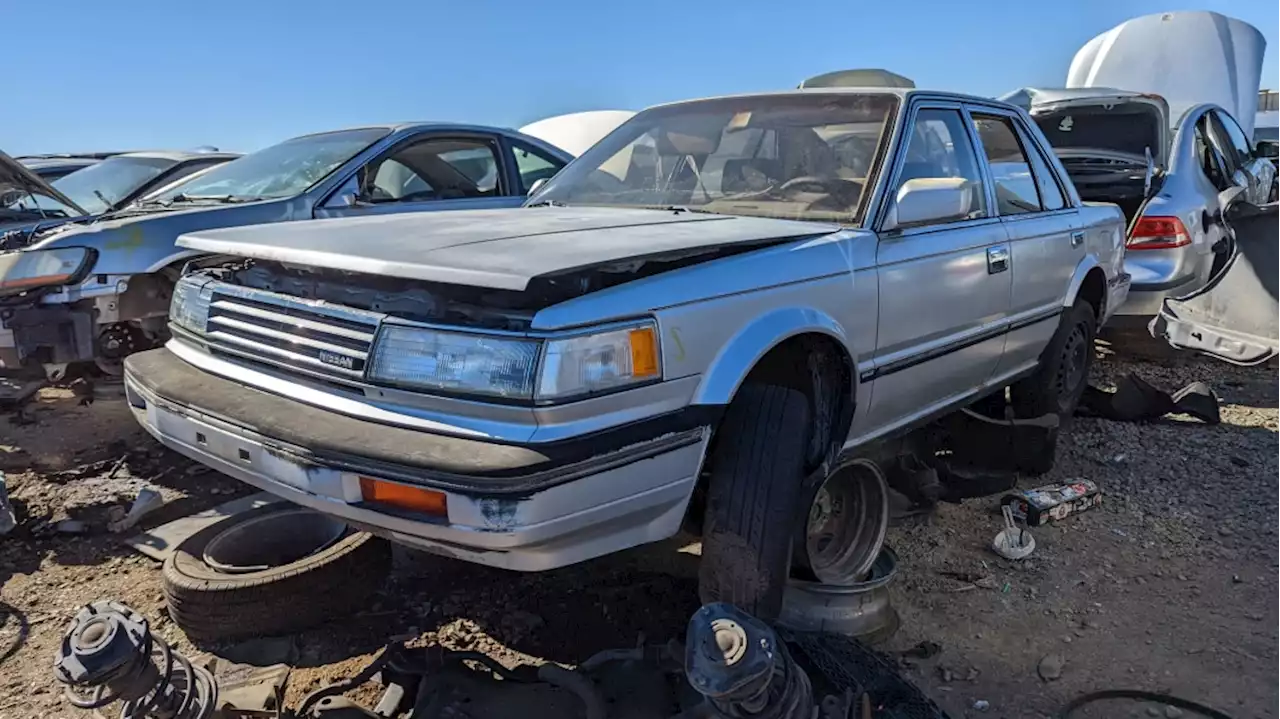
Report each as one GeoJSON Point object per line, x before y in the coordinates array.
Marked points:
{"type": "Point", "coordinates": [98, 292]}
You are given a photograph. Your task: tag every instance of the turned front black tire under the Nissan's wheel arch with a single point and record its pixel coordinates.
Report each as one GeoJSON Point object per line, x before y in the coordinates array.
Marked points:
{"type": "Point", "coordinates": [752, 500]}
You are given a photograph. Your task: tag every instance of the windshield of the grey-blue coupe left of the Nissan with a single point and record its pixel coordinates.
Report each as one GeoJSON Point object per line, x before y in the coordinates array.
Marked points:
{"type": "Point", "coordinates": [281, 171]}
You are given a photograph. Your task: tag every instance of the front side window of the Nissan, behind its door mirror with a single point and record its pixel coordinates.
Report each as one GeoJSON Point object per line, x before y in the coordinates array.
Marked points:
{"type": "Point", "coordinates": [940, 148]}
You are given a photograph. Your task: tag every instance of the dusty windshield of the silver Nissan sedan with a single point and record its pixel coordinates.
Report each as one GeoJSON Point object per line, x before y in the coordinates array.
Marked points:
{"type": "Point", "coordinates": [802, 157]}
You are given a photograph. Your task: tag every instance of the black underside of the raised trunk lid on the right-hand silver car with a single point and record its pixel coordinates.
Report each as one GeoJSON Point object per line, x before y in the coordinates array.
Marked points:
{"type": "Point", "coordinates": [1130, 129]}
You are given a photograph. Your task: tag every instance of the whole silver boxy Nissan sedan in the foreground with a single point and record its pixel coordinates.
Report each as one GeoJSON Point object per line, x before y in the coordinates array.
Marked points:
{"type": "Point", "coordinates": [688, 326]}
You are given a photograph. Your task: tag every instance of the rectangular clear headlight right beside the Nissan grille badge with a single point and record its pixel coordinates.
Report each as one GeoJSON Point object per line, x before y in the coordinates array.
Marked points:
{"type": "Point", "coordinates": [468, 364]}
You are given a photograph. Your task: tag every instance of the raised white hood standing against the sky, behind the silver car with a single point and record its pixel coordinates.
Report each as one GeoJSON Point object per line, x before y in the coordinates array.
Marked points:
{"type": "Point", "coordinates": [1187, 58]}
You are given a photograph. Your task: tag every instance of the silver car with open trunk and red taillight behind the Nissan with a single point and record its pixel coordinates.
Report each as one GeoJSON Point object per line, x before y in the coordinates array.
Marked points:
{"type": "Point", "coordinates": [1107, 140]}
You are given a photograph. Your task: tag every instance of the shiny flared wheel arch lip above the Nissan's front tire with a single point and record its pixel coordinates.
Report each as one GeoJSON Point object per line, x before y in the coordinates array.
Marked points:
{"type": "Point", "coordinates": [744, 350]}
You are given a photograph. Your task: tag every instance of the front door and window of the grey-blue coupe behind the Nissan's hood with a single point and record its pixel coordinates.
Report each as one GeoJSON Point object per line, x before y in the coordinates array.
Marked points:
{"type": "Point", "coordinates": [427, 175]}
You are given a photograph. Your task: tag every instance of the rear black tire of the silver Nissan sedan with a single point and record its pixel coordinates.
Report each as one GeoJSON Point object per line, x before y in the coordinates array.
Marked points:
{"type": "Point", "coordinates": [1064, 372]}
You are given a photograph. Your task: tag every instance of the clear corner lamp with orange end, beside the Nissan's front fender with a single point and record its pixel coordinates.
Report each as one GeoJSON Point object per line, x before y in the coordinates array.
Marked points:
{"type": "Point", "coordinates": [598, 363]}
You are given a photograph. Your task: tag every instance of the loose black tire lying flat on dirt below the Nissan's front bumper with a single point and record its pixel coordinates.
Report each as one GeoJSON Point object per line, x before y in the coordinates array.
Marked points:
{"type": "Point", "coordinates": [208, 604]}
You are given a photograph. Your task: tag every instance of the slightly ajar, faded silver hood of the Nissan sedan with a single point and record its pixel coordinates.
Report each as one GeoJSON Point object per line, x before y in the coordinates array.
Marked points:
{"type": "Point", "coordinates": [496, 249]}
